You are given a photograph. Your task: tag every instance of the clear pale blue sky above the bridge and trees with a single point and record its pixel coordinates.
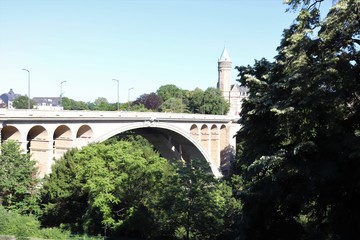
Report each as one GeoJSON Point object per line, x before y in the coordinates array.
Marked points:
{"type": "Point", "coordinates": [143, 44]}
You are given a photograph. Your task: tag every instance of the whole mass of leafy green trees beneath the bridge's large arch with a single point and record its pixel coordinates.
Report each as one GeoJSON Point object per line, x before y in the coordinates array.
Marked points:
{"type": "Point", "coordinates": [123, 188]}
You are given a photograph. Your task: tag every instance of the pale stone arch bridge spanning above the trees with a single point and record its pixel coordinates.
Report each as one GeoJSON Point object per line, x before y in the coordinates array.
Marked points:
{"type": "Point", "coordinates": [47, 135]}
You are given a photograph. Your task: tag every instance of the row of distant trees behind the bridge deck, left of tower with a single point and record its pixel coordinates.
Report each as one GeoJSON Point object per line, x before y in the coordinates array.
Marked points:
{"type": "Point", "coordinates": [168, 98]}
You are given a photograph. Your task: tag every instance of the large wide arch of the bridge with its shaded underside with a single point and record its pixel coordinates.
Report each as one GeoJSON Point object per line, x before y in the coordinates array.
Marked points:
{"type": "Point", "coordinates": [160, 135]}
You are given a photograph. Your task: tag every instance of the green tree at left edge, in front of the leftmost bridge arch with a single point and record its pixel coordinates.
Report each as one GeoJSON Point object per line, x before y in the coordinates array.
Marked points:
{"type": "Point", "coordinates": [18, 181]}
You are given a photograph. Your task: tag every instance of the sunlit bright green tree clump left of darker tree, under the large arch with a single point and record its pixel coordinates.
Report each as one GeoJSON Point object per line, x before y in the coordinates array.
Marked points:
{"type": "Point", "coordinates": [104, 188]}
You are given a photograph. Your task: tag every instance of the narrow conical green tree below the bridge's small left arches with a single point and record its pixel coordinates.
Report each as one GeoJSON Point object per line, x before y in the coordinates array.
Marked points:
{"type": "Point", "coordinates": [62, 197]}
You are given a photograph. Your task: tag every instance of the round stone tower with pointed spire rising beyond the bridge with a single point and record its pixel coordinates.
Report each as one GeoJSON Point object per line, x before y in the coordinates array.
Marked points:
{"type": "Point", "coordinates": [224, 74]}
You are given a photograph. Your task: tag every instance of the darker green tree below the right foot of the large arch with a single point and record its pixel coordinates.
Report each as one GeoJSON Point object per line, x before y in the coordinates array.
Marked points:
{"type": "Point", "coordinates": [195, 205]}
